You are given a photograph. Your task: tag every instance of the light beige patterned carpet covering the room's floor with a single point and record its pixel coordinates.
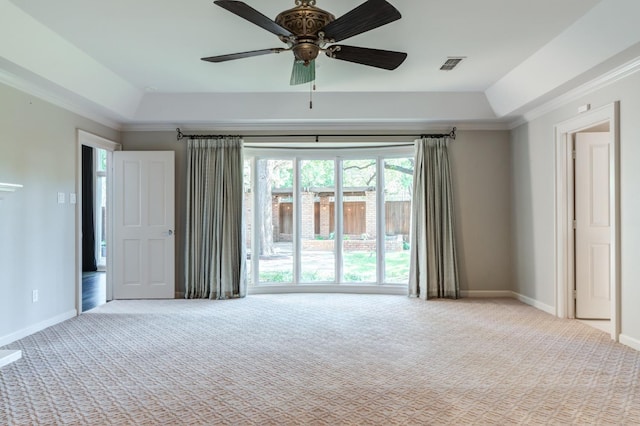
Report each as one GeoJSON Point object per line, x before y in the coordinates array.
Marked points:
{"type": "Point", "coordinates": [320, 359]}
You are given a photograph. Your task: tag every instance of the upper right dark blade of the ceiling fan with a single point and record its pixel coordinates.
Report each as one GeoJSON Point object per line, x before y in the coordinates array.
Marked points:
{"type": "Point", "coordinates": [369, 15]}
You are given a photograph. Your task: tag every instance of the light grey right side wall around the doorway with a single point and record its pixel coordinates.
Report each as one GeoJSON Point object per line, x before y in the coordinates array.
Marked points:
{"type": "Point", "coordinates": [533, 162]}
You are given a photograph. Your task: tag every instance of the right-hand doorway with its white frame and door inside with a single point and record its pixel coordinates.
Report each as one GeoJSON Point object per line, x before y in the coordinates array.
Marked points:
{"type": "Point", "coordinates": [570, 249]}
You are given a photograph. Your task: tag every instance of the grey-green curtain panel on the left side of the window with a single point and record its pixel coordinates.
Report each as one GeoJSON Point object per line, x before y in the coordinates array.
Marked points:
{"type": "Point", "coordinates": [215, 254]}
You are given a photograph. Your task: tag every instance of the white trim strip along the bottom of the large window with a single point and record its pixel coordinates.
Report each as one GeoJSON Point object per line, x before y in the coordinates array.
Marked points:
{"type": "Point", "coordinates": [398, 290]}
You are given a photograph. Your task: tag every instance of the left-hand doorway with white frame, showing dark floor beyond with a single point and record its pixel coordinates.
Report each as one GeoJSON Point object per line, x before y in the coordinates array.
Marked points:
{"type": "Point", "coordinates": [93, 220]}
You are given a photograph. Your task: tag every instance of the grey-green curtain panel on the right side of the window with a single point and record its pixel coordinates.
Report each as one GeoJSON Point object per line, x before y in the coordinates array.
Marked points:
{"type": "Point", "coordinates": [434, 266]}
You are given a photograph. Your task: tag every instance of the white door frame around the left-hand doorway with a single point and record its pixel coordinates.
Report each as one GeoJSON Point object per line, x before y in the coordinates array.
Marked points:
{"type": "Point", "coordinates": [89, 139]}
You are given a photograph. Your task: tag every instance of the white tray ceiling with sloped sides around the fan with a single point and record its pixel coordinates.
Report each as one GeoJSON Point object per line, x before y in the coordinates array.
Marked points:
{"type": "Point", "coordinates": [138, 62]}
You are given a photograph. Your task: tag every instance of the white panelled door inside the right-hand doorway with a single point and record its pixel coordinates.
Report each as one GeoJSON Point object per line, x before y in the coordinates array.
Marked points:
{"type": "Point", "coordinates": [593, 225]}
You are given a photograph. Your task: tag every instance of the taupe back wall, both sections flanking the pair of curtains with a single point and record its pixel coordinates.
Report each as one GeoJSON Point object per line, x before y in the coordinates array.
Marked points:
{"type": "Point", "coordinates": [480, 165]}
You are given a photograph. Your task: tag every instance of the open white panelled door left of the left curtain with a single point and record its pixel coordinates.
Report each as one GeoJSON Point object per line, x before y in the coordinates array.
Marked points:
{"type": "Point", "coordinates": [144, 247]}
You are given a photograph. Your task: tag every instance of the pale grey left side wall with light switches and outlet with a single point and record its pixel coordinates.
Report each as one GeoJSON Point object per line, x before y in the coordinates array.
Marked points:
{"type": "Point", "coordinates": [37, 235]}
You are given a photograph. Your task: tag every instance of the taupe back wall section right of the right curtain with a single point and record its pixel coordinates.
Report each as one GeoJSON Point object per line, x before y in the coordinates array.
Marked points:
{"type": "Point", "coordinates": [482, 195]}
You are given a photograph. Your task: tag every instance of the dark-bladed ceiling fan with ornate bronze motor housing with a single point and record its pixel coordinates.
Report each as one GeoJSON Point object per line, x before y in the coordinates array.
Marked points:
{"type": "Point", "coordinates": [308, 30]}
